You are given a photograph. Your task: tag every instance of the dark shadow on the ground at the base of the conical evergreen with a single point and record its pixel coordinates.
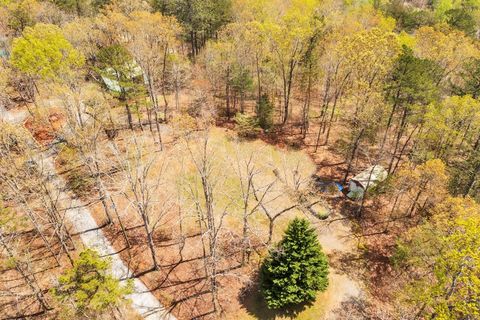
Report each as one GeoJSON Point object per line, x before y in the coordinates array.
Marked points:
{"type": "Point", "coordinates": [252, 300]}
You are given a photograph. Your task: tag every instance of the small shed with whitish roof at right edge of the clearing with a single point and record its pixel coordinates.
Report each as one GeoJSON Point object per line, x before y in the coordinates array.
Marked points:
{"type": "Point", "coordinates": [368, 178]}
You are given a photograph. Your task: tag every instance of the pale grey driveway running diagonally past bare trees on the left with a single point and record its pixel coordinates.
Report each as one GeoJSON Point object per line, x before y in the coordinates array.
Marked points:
{"type": "Point", "coordinates": [80, 217]}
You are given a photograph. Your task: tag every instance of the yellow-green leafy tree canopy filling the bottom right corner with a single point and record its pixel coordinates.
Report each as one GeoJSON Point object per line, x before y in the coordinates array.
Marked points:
{"type": "Point", "coordinates": [445, 253]}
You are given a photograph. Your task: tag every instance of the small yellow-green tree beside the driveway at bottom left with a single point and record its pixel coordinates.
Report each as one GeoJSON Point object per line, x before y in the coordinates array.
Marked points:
{"type": "Point", "coordinates": [88, 288]}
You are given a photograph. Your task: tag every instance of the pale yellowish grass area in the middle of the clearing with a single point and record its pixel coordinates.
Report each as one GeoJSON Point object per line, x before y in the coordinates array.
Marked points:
{"type": "Point", "coordinates": [175, 178]}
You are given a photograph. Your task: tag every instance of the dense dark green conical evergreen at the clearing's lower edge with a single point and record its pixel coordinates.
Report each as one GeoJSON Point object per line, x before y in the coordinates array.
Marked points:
{"type": "Point", "coordinates": [296, 270]}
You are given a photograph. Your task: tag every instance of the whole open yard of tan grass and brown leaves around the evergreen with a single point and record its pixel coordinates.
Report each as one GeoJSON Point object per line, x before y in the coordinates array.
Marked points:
{"type": "Point", "coordinates": [257, 189]}
